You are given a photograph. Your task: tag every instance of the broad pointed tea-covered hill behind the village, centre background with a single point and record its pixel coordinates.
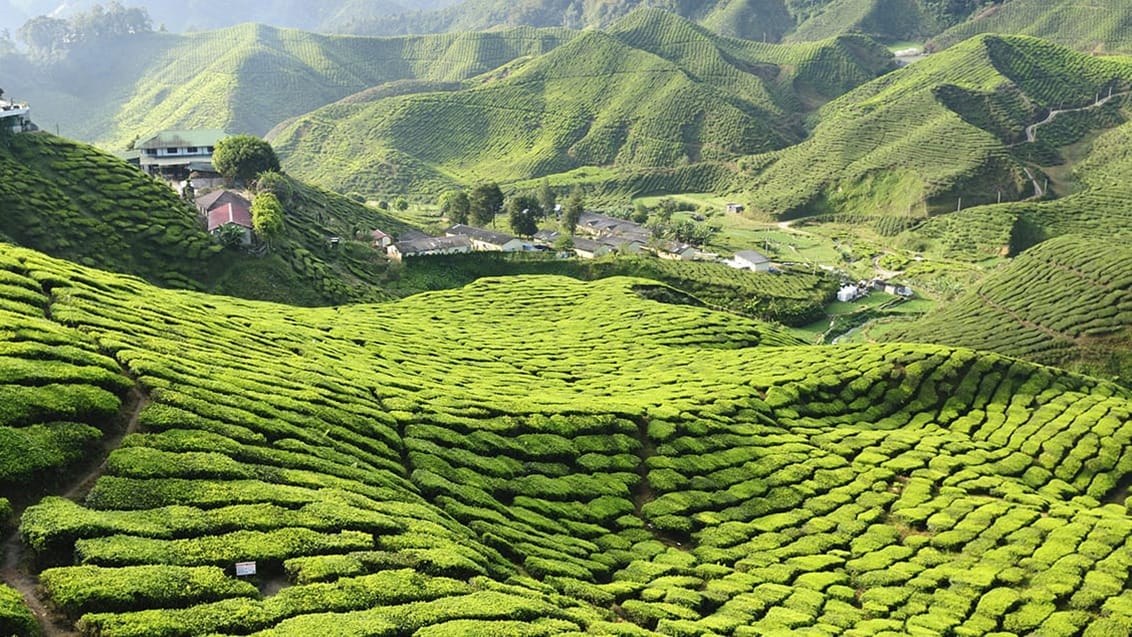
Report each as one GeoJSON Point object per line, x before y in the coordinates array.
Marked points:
{"type": "Point", "coordinates": [654, 94]}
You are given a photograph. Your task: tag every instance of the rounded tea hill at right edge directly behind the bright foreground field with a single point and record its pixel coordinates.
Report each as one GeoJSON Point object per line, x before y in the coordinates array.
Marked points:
{"type": "Point", "coordinates": [1067, 303]}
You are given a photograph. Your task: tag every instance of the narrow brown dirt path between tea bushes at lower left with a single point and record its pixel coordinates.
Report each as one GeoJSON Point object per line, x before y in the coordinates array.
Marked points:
{"type": "Point", "coordinates": [18, 571]}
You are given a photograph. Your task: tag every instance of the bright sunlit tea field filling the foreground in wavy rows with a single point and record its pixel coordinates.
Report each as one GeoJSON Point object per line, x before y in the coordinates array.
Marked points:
{"type": "Point", "coordinates": [541, 457]}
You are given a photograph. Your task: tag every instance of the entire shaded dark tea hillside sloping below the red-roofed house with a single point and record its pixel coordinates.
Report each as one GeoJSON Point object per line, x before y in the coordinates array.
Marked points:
{"type": "Point", "coordinates": [75, 202]}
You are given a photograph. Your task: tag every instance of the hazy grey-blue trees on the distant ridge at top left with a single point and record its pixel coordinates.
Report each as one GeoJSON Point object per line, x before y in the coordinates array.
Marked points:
{"type": "Point", "coordinates": [47, 37]}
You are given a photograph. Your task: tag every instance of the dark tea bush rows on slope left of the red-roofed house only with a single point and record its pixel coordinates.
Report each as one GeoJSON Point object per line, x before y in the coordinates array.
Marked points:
{"type": "Point", "coordinates": [75, 202]}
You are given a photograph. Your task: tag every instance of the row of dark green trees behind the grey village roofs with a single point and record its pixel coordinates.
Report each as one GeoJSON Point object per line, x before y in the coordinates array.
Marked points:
{"type": "Point", "coordinates": [525, 211]}
